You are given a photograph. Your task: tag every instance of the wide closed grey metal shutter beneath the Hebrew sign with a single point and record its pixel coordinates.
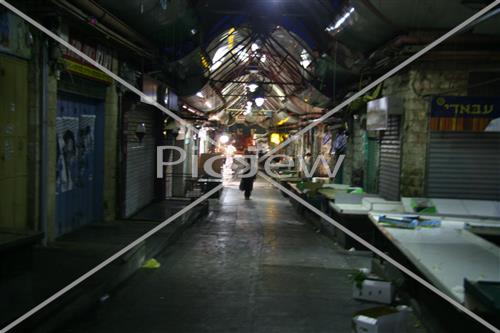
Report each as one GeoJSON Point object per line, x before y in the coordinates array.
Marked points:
{"type": "Point", "coordinates": [464, 165]}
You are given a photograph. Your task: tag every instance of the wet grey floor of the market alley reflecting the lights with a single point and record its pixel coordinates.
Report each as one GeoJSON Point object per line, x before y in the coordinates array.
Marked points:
{"type": "Point", "coordinates": [252, 266]}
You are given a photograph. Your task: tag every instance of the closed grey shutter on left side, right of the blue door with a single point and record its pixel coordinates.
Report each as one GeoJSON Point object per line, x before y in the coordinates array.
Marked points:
{"type": "Point", "coordinates": [140, 161]}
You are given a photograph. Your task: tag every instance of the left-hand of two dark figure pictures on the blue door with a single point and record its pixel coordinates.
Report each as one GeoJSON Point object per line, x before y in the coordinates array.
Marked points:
{"type": "Point", "coordinates": [67, 153]}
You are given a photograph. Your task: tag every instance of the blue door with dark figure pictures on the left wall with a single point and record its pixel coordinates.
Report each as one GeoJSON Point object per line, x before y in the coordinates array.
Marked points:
{"type": "Point", "coordinates": [80, 161]}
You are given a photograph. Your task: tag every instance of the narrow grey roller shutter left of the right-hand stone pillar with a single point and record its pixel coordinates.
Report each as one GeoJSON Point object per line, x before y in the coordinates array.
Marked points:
{"type": "Point", "coordinates": [390, 160]}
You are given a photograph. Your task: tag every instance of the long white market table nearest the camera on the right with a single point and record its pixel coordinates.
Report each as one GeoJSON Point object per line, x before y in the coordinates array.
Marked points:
{"type": "Point", "coordinates": [446, 255]}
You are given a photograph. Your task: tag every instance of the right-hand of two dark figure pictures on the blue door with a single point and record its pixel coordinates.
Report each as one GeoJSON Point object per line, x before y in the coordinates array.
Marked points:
{"type": "Point", "coordinates": [86, 148]}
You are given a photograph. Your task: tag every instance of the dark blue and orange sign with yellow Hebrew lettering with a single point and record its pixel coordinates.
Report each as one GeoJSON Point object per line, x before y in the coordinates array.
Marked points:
{"type": "Point", "coordinates": [465, 114]}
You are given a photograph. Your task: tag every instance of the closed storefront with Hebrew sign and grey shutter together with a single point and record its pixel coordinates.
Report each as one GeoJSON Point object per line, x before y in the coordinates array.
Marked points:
{"type": "Point", "coordinates": [464, 148]}
